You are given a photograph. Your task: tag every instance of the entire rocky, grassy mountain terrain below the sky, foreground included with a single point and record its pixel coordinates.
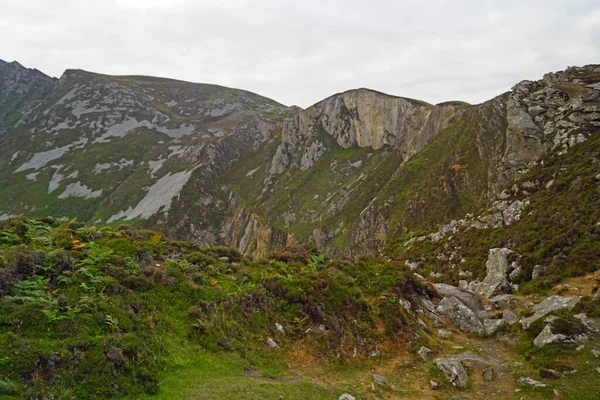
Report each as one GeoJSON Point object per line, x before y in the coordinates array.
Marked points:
{"type": "Point", "coordinates": [378, 247]}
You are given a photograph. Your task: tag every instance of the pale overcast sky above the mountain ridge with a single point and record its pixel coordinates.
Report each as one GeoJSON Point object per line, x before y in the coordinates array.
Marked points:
{"type": "Point", "coordinates": [300, 52]}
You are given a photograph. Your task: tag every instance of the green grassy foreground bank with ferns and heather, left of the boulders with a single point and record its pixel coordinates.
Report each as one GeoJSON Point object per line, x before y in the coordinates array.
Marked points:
{"type": "Point", "coordinates": [92, 313]}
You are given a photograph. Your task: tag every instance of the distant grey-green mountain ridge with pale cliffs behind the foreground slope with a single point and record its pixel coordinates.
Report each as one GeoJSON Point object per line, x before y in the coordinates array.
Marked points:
{"type": "Point", "coordinates": [350, 174]}
